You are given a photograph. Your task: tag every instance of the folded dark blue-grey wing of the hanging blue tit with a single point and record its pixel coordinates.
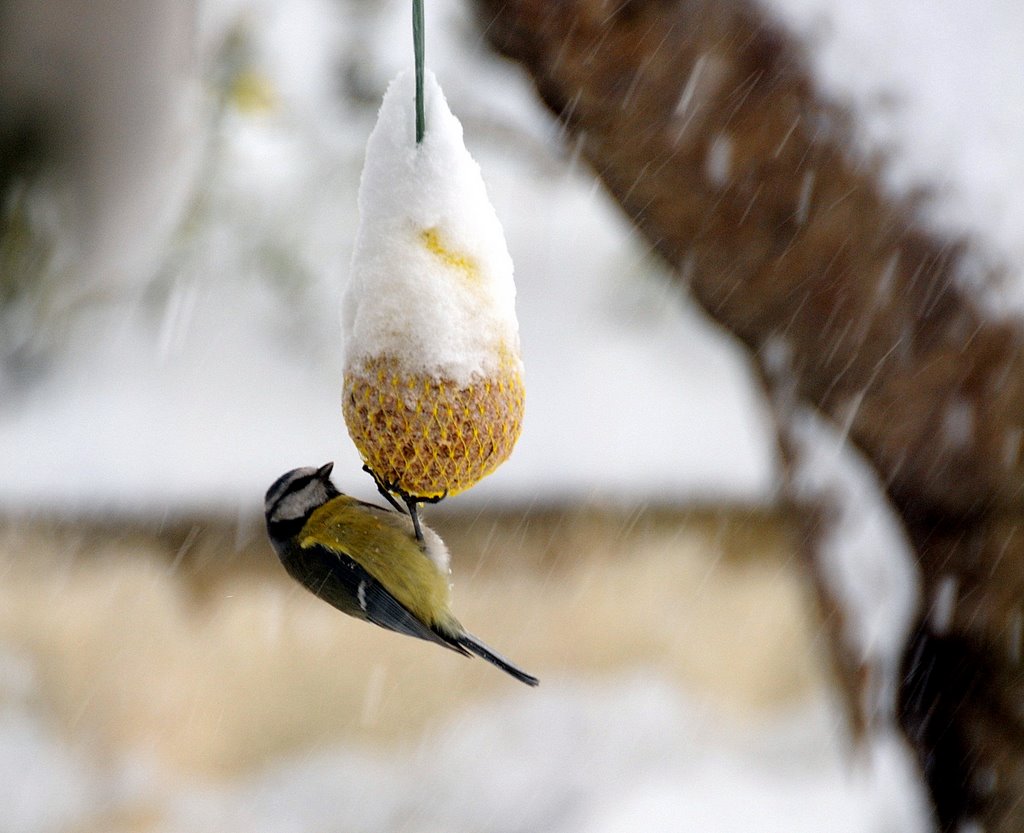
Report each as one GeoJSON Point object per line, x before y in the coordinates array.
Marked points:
{"type": "Point", "coordinates": [330, 575]}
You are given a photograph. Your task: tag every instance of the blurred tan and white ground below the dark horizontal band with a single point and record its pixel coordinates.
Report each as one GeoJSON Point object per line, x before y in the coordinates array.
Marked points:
{"type": "Point", "coordinates": [130, 705]}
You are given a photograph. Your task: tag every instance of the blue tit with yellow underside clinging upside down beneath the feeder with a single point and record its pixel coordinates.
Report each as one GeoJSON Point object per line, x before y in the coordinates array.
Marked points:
{"type": "Point", "coordinates": [367, 562]}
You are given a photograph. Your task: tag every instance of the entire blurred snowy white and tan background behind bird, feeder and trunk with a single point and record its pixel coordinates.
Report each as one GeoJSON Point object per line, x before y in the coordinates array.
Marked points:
{"type": "Point", "coordinates": [179, 348]}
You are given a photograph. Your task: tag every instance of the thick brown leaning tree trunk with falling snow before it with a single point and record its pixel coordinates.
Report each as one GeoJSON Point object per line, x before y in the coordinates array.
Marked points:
{"type": "Point", "coordinates": [702, 119]}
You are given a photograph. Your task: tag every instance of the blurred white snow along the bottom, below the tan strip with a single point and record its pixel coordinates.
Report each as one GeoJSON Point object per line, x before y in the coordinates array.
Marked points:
{"type": "Point", "coordinates": [626, 756]}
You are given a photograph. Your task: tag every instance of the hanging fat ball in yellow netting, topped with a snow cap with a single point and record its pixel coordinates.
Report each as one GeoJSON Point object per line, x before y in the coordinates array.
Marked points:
{"type": "Point", "coordinates": [434, 389]}
